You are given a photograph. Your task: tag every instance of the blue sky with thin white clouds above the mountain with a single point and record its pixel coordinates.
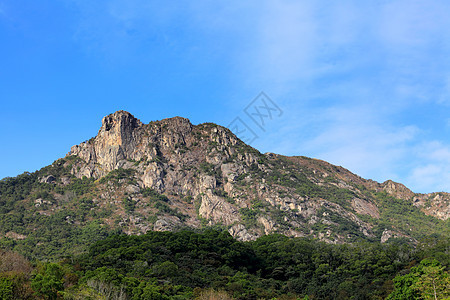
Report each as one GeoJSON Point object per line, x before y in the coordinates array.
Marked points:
{"type": "Point", "coordinates": [365, 85]}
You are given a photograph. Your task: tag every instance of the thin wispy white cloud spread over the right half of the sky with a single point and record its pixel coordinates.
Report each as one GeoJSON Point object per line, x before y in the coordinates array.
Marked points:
{"type": "Point", "coordinates": [361, 71]}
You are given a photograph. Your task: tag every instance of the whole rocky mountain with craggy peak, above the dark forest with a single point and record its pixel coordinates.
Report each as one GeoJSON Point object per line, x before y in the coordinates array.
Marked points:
{"type": "Point", "coordinates": [170, 174]}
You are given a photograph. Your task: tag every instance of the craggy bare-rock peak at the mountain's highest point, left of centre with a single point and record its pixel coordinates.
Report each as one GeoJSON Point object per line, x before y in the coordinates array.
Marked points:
{"type": "Point", "coordinates": [123, 139]}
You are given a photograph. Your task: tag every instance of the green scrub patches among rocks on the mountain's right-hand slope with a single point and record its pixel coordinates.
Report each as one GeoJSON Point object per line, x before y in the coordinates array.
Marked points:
{"type": "Point", "coordinates": [395, 214]}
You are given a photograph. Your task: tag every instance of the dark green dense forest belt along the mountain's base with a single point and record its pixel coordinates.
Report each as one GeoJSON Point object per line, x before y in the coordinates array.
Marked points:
{"type": "Point", "coordinates": [246, 270]}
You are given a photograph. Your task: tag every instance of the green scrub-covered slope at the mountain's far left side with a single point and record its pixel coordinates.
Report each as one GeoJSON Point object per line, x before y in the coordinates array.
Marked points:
{"type": "Point", "coordinates": [27, 210]}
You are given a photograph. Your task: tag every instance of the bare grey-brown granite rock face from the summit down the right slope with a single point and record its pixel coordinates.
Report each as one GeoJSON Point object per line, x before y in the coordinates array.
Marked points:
{"type": "Point", "coordinates": [214, 178]}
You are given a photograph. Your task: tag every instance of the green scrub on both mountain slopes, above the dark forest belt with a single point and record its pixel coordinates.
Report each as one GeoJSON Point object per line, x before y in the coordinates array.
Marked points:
{"type": "Point", "coordinates": [50, 220]}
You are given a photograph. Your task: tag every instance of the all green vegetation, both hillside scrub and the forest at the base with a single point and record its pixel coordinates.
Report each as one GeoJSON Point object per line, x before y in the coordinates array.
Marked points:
{"type": "Point", "coordinates": [62, 238]}
